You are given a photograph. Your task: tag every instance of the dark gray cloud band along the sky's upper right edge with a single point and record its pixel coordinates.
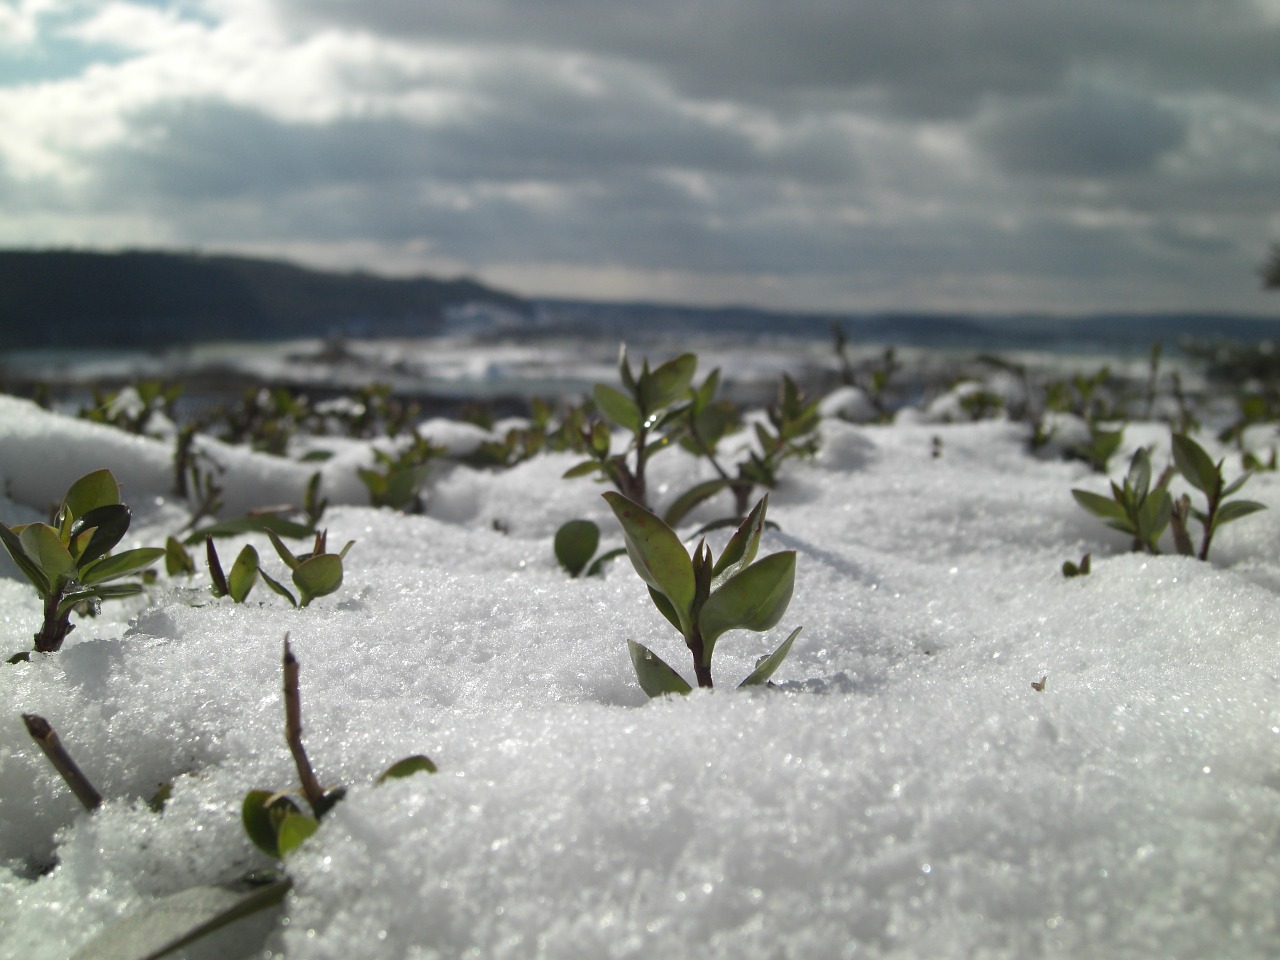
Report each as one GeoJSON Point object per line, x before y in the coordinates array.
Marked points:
{"type": "Point", "coordinates": [921, 56]}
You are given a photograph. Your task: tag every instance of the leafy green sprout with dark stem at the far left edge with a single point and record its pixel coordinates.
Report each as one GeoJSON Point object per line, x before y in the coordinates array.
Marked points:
{"type": "Point", "coordinates": [70, 563]}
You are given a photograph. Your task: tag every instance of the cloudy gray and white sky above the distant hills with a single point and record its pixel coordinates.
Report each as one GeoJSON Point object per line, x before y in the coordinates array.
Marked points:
{"type": "Point", "coordinates": [833, 156]}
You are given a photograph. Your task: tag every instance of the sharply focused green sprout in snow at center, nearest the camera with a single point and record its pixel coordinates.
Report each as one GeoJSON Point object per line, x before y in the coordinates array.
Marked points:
{"type": "Point", "coordinates": [703, 597]}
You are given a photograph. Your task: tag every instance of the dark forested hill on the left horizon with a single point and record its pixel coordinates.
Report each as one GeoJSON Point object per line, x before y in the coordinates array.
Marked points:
{"type": "Point", "coordinates": [67, 299]}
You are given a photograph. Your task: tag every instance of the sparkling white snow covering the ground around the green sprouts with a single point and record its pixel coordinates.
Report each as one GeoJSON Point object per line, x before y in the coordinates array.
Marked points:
{"type": "Point", "coordinates": [904, 792]}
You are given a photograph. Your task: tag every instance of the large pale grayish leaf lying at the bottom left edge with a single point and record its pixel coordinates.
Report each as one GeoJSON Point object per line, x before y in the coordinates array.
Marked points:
{"type": "Point", "coordinates": [181, 920]}
